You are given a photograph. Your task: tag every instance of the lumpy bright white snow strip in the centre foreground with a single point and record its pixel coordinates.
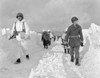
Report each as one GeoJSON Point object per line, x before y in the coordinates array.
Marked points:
{"type": "Point", "coordinates": [50, 66]}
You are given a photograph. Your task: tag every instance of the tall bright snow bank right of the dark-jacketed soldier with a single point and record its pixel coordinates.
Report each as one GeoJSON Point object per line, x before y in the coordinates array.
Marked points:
{"type": "Point", "coordinates": [90, 67]}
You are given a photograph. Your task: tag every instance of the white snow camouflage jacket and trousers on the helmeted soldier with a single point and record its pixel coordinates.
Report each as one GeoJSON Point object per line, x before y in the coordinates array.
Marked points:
{"type": "Point", "coordinates": [21, 42]}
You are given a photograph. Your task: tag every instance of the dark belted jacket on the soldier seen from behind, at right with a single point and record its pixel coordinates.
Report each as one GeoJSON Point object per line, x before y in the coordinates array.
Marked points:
{"type": "Point", "coordinates": [74, 35]}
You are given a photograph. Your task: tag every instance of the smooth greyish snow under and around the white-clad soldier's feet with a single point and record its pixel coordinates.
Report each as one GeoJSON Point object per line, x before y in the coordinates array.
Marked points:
{"type": "Point", "coordinates": [8, 50]}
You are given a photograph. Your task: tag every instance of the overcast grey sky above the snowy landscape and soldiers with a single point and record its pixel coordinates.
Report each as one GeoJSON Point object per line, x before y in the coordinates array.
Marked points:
{"type": "Point", "coordinates": [50, 14]}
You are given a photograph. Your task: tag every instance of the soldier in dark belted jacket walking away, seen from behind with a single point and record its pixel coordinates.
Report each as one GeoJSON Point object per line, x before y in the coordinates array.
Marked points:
{"type": "Point", "coordinates": [75, 37]}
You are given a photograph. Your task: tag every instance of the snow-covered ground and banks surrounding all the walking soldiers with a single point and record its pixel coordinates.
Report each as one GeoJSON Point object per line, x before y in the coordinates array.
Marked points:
{"type": "Point", "coordinates": [51, 63]}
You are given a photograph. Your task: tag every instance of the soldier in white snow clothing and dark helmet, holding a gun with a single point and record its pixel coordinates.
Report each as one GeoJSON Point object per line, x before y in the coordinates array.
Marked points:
{"type": "Point", "coordinates": [20, 31]}
